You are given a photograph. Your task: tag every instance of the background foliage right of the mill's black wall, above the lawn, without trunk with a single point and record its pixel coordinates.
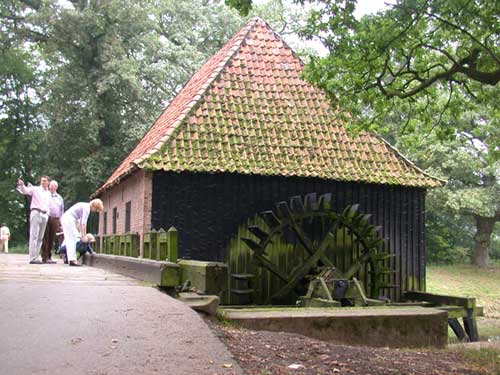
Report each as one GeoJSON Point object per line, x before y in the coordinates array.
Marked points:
{"type": "Point", "coordinates": [456, 213]}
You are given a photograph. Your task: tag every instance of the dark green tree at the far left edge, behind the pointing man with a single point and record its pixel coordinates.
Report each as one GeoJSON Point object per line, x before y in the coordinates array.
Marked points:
{"type": "Point", "coordinates": [21, 125]}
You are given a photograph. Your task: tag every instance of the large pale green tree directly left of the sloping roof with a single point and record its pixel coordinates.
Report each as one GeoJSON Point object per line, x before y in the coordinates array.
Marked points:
{"type": "Point", "coordinates": [112, 67]}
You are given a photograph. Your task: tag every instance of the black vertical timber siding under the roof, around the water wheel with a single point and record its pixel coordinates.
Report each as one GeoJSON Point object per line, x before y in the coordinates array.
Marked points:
{"type": "Point", "coordinates": [207, 209]}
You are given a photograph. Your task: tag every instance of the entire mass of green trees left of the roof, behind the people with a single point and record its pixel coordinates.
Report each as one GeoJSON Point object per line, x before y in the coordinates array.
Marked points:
{"type": "Point", "coordinates": [82, 81]}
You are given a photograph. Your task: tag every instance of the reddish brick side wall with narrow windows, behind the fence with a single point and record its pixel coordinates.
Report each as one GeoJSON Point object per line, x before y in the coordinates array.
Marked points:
{"type": "Point", "coordinates": [136, 189]}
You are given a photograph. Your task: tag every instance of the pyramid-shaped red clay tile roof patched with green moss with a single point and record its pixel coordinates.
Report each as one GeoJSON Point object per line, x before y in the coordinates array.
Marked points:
{"type": "Point", "coordinates": [248, 111]}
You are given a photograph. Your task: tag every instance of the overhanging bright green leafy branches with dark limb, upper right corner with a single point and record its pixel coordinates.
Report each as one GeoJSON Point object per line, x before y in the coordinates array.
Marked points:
{"type": "Point", "coordinates": [405, 58]}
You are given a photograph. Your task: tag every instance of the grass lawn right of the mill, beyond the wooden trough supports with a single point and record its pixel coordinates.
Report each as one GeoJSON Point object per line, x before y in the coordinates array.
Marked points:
{"type": "Point", "coordinates": [468, 281]}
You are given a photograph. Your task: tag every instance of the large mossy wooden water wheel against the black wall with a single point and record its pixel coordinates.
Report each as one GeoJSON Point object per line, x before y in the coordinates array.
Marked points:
{"type": "Point", "coordinates": [313, 226]}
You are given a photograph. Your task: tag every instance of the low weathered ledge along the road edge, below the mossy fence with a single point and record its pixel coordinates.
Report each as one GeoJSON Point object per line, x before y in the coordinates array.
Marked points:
{"type": "Point", "coordinates": [164, 274]}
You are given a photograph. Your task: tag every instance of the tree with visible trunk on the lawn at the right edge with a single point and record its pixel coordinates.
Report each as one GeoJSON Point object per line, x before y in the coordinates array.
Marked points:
{"type": "Point", "coordinates": [470, 163]}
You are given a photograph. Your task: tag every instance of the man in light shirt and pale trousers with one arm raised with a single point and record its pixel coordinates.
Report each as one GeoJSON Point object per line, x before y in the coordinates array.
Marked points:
{"type": "Point", "coordinates": [39, 215]}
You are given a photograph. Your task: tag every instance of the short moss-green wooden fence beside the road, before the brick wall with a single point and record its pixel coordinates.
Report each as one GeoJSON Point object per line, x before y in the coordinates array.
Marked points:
{"type": "Point", "coordinates": [156, 245]}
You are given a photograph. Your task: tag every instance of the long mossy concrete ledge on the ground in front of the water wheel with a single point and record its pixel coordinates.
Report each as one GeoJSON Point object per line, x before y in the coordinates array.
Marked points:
{"type": "Point", "coordinates": [397, 327]}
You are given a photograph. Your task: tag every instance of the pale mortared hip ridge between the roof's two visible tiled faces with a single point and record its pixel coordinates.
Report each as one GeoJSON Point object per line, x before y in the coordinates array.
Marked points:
{"type": "Point", "coordinates": [203, 88]}
